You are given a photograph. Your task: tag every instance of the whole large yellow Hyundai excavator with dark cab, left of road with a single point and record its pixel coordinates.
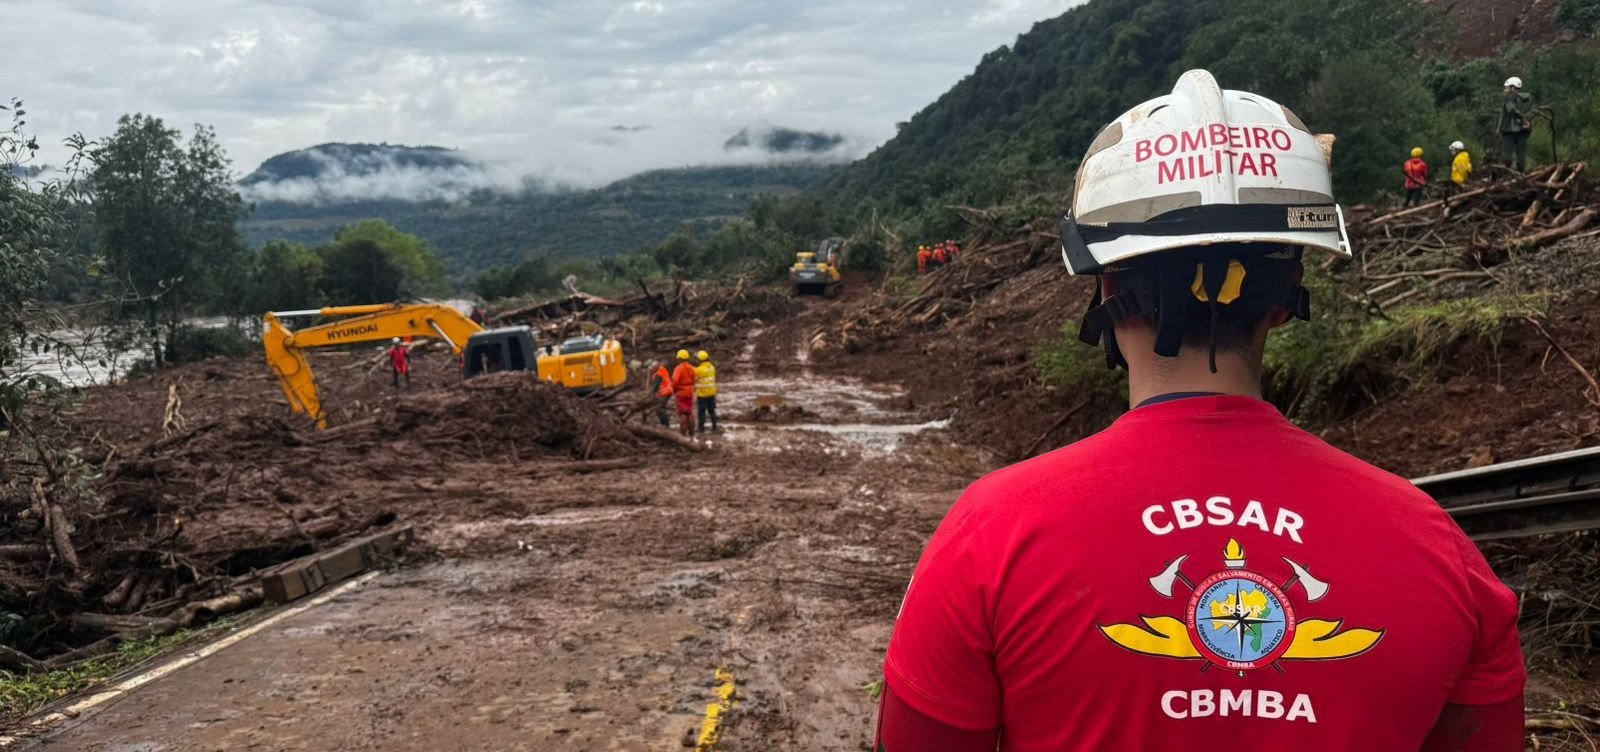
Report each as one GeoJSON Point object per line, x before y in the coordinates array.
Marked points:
{"type": "Point", "coordinates": [583, 364]}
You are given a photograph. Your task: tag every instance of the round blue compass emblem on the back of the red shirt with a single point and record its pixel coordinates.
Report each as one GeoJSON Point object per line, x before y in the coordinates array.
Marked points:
{"type": "Point", "coordinates": [1241, 620]}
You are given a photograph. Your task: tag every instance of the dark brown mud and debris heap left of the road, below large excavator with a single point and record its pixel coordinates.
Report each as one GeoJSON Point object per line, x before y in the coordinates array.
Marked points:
{"type": "Point", "coordinates": [177, 530]}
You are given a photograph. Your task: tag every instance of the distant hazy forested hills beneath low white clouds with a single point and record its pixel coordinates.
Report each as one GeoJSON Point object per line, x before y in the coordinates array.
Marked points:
{"type": "Point", "coordinates": [494, 228]}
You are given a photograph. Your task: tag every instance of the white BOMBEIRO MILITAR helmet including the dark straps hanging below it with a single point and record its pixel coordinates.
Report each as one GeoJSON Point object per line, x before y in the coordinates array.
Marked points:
{"type": "Point", "coordinates": [1212, 196]}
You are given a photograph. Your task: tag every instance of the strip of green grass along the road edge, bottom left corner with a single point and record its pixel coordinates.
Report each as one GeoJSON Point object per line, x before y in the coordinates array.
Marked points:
{"type": "Point", "coordinates": [23, 695]}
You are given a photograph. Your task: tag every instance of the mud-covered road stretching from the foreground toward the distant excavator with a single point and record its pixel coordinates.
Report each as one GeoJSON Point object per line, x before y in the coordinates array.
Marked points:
{"type": "Point", "coordinates": [593, 612]}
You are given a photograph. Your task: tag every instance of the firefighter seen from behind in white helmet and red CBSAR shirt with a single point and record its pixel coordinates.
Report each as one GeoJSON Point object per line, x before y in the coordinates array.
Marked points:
{"type": "Point", "coordinates": [1202, 572]}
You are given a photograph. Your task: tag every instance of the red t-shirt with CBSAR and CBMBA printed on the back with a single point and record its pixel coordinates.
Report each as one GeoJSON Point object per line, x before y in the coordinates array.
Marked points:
{"type": "Point", "coordinates": [1049, 604]}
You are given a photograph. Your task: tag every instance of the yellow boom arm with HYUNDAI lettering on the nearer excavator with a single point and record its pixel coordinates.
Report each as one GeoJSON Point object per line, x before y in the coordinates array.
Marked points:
{"type": "Point", "coordinates": [370, 324]}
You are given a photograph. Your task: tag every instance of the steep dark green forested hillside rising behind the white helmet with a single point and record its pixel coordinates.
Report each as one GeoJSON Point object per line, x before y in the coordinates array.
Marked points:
{"type": "Point", "coordinates": [1382, 74]}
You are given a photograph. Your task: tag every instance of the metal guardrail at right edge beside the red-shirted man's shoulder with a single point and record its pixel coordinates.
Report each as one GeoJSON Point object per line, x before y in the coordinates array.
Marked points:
{"type": "Point", "coordinates": [1556, 494]}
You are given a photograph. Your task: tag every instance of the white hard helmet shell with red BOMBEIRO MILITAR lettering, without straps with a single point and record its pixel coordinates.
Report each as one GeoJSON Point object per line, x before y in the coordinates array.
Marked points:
{"type": "Point", "coordinates": [1201, 167]}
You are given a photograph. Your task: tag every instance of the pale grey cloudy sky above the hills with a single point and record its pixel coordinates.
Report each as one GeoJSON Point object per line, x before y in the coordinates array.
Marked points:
{"type": "Point", "coordinates": [537, 86]}
